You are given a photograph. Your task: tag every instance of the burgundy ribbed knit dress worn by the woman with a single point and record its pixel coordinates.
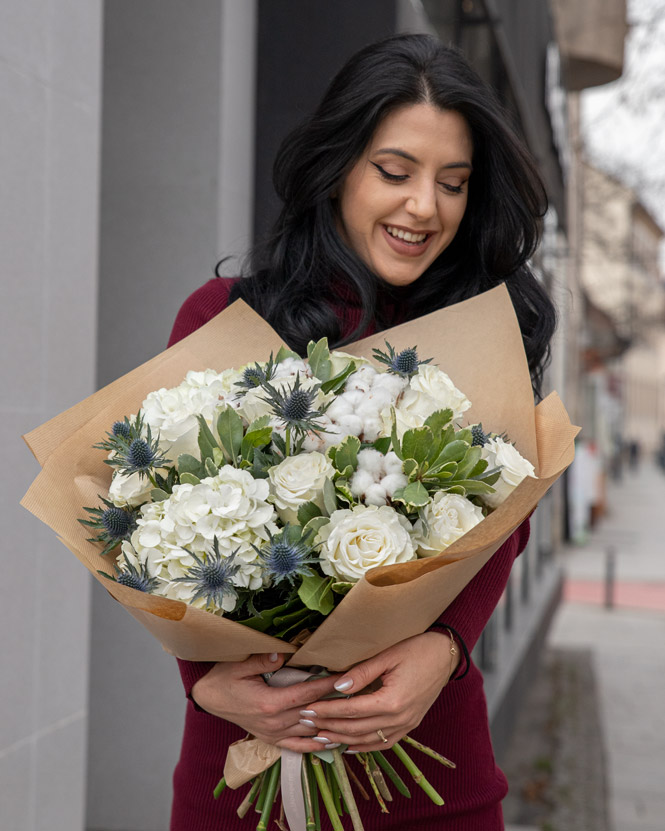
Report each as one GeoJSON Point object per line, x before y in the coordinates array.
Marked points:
{"type": "Point", "coordinates": [456, 724]}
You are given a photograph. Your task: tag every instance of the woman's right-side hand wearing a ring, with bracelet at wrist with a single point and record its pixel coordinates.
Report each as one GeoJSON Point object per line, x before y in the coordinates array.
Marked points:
{"type": "Point", "coordinates": [412, 672]}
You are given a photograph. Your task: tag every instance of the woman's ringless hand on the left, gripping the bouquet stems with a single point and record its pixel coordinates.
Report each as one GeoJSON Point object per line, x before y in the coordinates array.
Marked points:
{"type": "Point", "coordinates": [238, 693]}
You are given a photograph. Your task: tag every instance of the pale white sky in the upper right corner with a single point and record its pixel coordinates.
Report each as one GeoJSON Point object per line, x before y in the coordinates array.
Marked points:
{"type": "Point", "coordinates": [623, 123]}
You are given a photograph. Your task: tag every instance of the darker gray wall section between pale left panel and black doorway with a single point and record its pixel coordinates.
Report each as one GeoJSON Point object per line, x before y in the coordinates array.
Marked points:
{"type": "Point", "coordinates": [176, 175]}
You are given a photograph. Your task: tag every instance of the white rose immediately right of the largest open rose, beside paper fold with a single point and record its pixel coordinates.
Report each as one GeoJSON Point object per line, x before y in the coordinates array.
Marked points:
{"type": "Point", "coordinates": [448, 517]}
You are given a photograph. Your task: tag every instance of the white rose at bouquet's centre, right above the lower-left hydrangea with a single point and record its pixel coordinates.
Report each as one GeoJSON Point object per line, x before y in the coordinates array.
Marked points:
{"type": "Point", "coordinates": [296, 480]}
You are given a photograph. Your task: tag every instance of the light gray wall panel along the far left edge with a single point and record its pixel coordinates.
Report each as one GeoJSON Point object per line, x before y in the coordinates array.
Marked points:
{"type": "Point", "coordinates": [49, 154]}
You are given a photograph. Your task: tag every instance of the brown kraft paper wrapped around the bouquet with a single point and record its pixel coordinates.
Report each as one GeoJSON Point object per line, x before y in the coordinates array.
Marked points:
{"type": "Point", "coordinates": [477, 342]}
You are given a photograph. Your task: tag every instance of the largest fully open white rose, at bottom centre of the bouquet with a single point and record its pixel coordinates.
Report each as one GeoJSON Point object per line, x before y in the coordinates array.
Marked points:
{"type": "Point", "coordinates": [356, 540]}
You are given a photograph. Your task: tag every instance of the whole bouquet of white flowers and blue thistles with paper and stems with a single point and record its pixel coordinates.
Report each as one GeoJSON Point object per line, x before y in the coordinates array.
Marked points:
{"type": "Point", "coordinates": [285, 496]}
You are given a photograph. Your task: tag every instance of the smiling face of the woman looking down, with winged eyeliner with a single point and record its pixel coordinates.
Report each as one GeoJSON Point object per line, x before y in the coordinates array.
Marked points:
{"type": "Point", "coordinates": [402, 202]}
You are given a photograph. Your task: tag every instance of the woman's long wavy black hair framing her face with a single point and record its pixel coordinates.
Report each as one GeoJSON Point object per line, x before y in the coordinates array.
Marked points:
{"type": "Point", "coordinates": [300, 270]}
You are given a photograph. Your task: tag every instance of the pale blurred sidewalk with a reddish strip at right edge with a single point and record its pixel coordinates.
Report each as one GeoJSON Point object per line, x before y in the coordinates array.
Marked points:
{"type": "Point", "coordinates": [626, 643]}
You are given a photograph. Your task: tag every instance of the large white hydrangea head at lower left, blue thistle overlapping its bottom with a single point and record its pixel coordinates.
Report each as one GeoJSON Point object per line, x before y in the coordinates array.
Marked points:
{"type": "Point", "coordinates": [231, 506]}
